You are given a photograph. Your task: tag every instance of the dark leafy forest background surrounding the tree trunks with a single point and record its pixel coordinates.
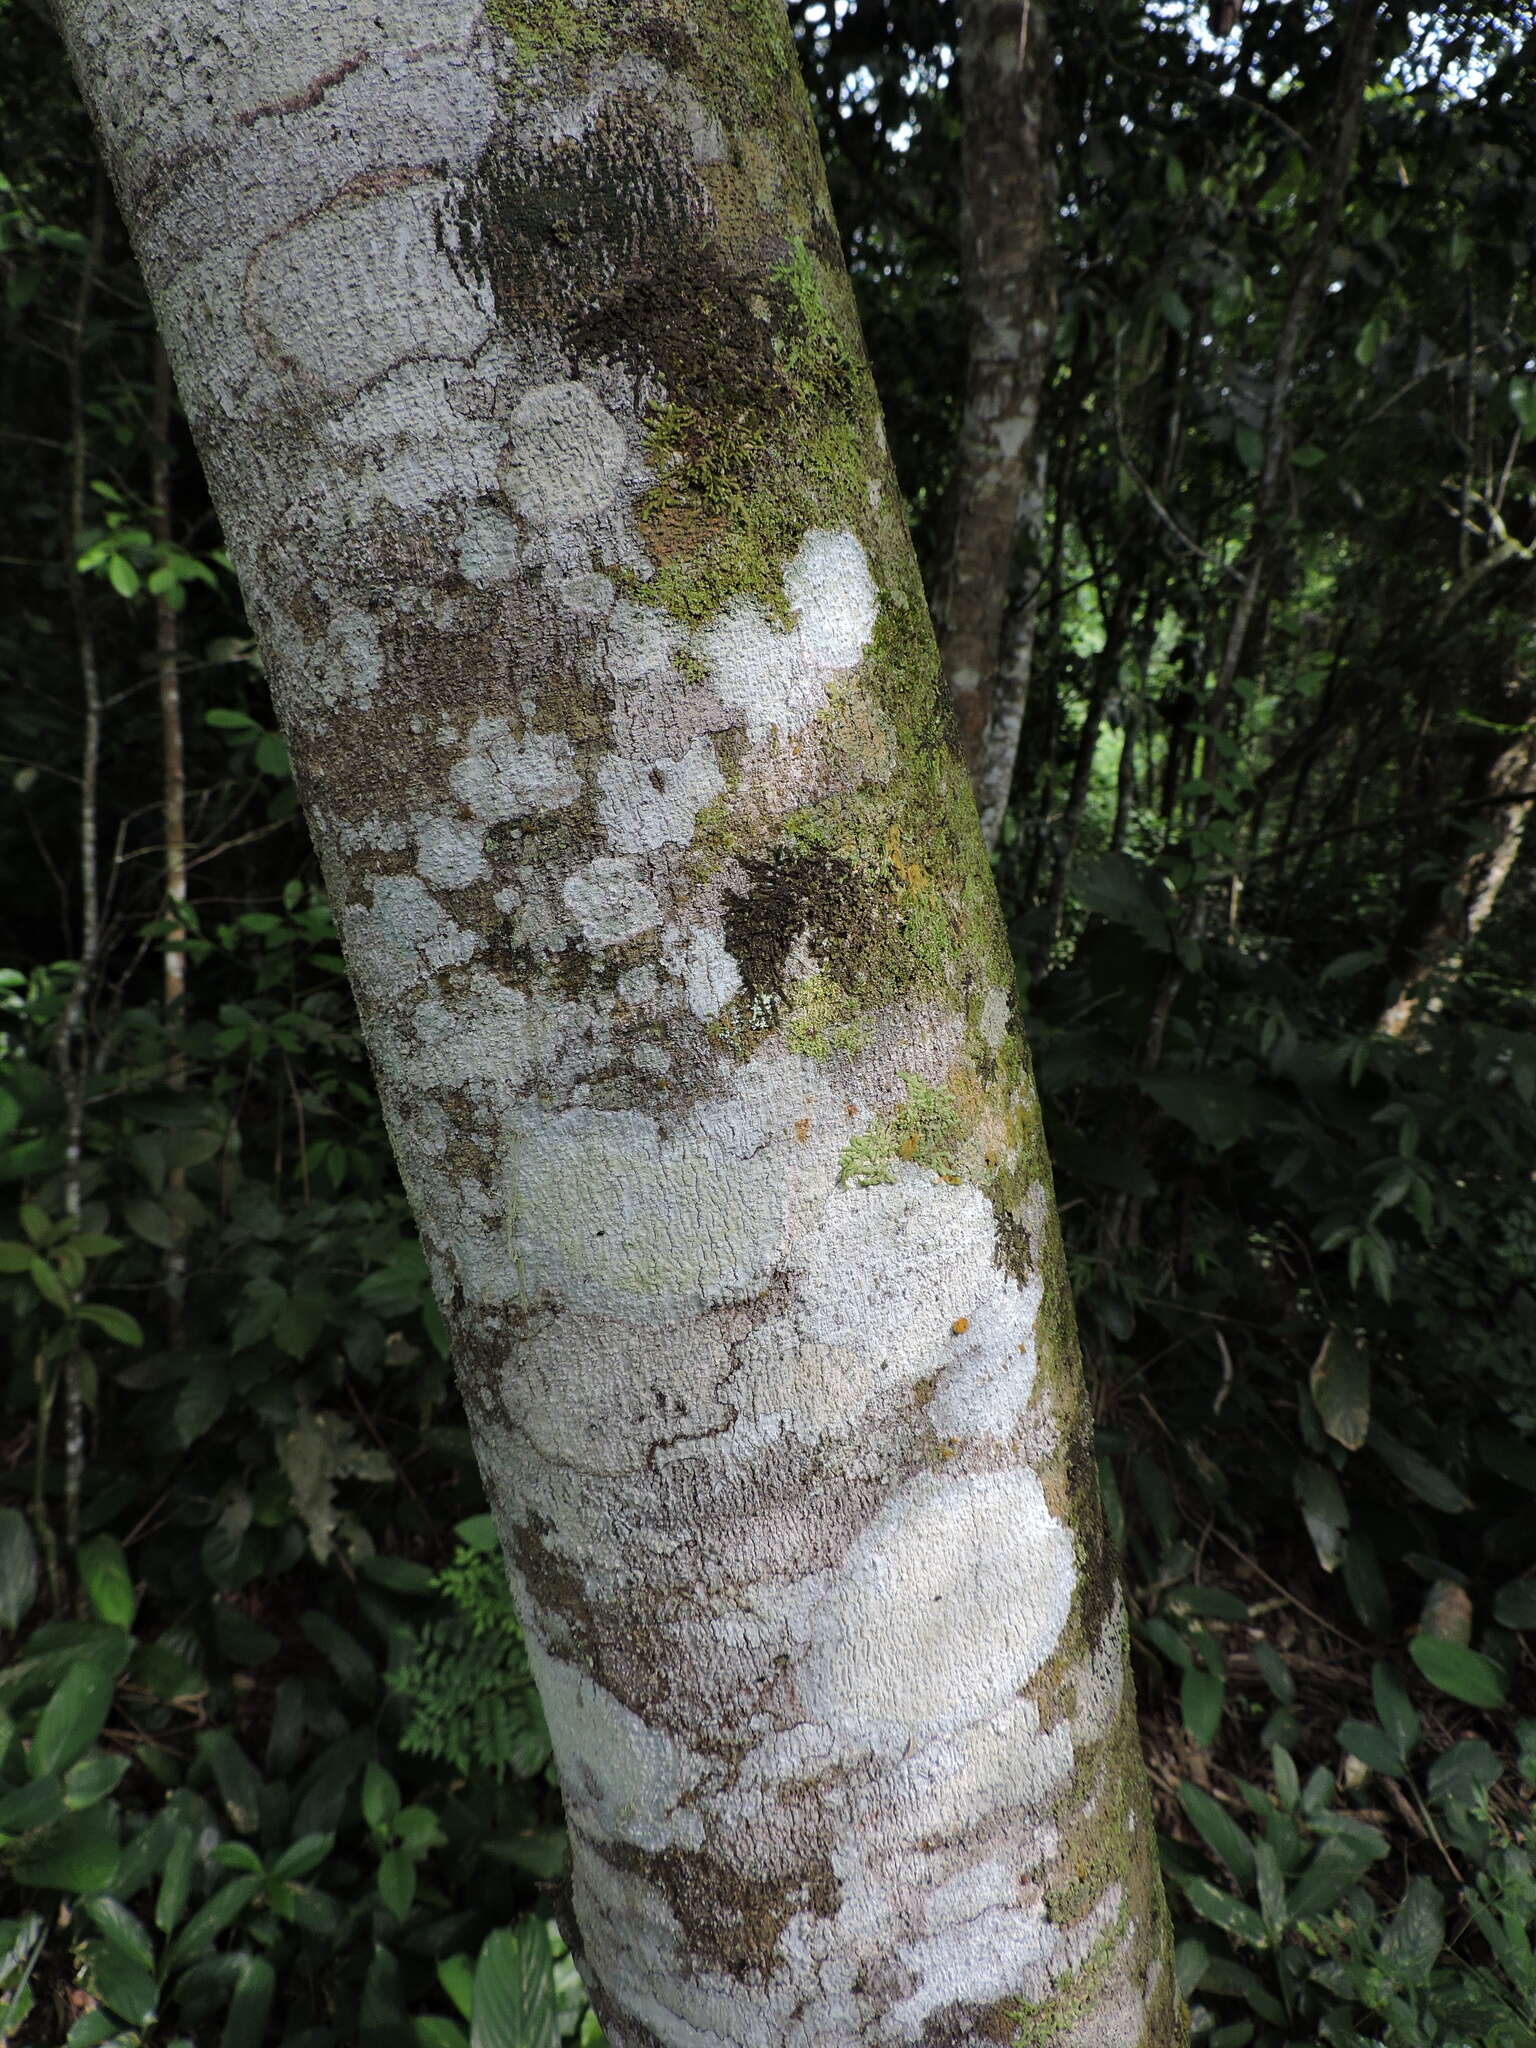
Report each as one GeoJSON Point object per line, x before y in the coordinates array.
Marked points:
{"type": "Point", "coordinates": [271, 1768]}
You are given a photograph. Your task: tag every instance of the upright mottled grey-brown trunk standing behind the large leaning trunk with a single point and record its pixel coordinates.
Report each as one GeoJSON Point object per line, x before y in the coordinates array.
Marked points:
{"type": "Point", "coordinates": [1011, 300]}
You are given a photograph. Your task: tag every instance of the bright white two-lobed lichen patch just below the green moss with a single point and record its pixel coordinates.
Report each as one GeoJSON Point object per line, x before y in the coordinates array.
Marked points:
{"type": "Point", "coordinates": [779, 677]}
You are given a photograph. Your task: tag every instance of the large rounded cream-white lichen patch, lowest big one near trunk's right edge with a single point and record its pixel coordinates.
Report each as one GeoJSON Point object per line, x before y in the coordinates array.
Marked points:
{"type": "Point", "coordinates": [947, 1607]}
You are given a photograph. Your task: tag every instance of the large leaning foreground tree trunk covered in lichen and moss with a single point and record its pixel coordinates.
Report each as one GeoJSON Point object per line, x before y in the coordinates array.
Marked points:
{"type": "Point", "coordinates": [531, 394]}
